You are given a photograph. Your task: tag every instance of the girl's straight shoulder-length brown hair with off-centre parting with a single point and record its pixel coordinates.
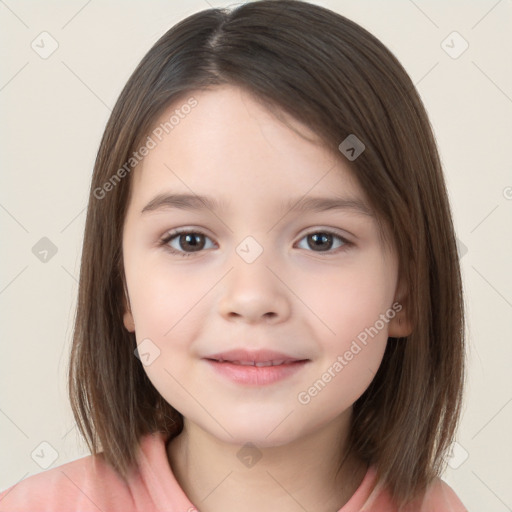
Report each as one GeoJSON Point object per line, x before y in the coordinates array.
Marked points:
{"type": "Point", "coordinates": [338, 79]}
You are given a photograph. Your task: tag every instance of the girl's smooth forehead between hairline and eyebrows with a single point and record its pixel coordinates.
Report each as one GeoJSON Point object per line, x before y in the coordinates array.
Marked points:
{"type": "Point", "coordinates": [232, 146]}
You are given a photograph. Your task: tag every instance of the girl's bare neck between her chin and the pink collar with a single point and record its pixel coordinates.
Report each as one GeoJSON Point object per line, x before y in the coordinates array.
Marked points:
{"type": "Point", "coordinates": [300, 475]}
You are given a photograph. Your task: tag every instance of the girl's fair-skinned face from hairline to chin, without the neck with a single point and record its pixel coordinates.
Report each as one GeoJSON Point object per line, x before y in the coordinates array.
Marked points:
{"type": "Point", "coordinates": [256, 279]}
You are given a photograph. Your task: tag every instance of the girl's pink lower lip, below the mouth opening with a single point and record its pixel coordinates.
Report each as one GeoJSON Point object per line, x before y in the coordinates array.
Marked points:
{"type": "Point", "coordinates": [256, 375]}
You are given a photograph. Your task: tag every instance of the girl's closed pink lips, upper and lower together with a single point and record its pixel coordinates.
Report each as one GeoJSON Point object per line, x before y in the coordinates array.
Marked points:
{"type": "Point", "coordinates": [255, 375]}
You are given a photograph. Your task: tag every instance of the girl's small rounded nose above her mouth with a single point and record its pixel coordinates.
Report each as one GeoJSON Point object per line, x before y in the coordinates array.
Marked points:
{"type": "Point", "coordinates": [254, 293]}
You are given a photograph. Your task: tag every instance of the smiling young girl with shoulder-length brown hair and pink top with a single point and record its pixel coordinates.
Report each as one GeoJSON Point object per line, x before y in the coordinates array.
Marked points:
{"type": "Point", "coordinates": [270, 309]}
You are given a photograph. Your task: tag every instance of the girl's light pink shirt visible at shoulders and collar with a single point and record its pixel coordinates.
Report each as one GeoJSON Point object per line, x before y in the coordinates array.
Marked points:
{"type": "Point", "coordinates": [89, 484]}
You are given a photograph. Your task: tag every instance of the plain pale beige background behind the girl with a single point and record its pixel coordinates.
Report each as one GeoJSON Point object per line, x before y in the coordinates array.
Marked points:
{"type": "Point", "coordinates": [53, 113]}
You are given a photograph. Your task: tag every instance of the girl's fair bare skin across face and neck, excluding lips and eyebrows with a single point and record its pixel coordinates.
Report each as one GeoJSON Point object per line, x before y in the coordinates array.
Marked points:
{"type": "Point", "coordinates": [294, 298]}
